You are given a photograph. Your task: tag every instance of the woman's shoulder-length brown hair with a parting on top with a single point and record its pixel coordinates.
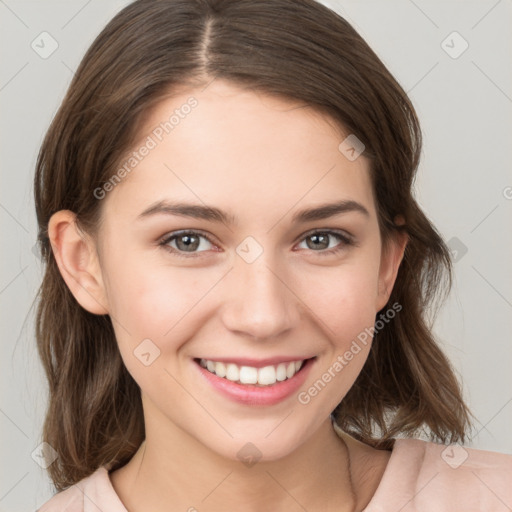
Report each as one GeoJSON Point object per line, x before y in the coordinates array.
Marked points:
{"type": "Point", "coordinates": [296, 49]}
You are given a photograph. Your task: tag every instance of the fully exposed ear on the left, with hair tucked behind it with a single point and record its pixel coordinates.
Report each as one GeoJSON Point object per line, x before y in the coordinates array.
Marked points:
{"type": "Point", "coordinates": [77, 259]}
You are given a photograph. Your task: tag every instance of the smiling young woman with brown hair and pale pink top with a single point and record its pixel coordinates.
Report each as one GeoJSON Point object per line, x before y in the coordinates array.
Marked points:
{"type": "Point", "coordinates": [237, 275]}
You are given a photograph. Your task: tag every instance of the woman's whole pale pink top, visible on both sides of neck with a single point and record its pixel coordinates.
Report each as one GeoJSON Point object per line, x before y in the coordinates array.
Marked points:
{"type": "Point", "coordinates": [420, 476]}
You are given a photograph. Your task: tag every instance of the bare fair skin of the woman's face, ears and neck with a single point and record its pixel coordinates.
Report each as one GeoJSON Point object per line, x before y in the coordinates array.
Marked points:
{"type": "Point", "coordinates": [262, 159]}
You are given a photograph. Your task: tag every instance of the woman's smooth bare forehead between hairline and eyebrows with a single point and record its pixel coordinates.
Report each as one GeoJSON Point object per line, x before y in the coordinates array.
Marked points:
{"type": "Point", "coordinates": [240, 150]}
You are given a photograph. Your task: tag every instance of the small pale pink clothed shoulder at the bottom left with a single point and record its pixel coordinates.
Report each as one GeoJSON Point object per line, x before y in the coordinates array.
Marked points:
{"type": "Point", "coordinates": [94, 492]}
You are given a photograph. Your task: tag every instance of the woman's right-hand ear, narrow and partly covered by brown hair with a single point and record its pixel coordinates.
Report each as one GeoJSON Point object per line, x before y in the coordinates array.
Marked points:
{"type": "Point", "coordinates": [391, 257]}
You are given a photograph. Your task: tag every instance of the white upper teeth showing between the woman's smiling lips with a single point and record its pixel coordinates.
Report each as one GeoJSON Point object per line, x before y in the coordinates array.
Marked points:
{"type": "Point", "coordinates": [265, 376]}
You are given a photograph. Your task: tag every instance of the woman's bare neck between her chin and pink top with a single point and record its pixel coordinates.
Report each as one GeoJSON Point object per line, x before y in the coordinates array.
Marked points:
{"type": "Point", "coordinates": [176, 469]}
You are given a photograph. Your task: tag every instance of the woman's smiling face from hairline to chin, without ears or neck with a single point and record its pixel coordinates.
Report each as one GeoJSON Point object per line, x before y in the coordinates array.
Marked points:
{"type": "Point", "coordinates": [264, 285]}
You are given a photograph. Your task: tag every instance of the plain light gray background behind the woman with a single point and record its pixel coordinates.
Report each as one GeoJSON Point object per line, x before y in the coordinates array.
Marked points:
{"type": "Point", "coordinates": [464, 185]}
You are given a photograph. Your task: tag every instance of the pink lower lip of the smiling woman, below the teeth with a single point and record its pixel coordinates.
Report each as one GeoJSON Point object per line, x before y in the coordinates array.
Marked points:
{"type": "Point", "coordinates": [250, 394]}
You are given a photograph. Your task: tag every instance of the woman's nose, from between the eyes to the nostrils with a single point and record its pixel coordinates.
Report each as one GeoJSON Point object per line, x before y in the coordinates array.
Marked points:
{"type": "Point", "coordinates": [261, 303]}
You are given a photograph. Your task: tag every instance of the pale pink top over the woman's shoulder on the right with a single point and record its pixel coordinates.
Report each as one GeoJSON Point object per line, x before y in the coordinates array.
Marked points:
{"type": "Point", "coordinates": [424, 476]}
